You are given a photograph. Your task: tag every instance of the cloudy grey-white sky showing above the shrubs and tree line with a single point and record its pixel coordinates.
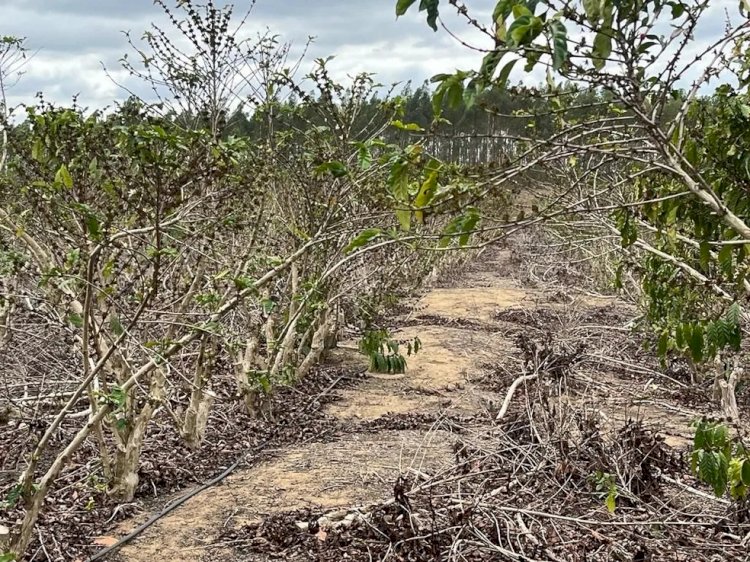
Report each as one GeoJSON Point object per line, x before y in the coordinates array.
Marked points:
{"type": "Point", "coordinates": [75, 39]}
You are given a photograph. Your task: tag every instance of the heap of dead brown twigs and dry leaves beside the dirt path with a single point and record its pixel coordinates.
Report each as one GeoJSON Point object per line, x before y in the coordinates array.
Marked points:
{"type": "Point", "coordinates": [549, 481]}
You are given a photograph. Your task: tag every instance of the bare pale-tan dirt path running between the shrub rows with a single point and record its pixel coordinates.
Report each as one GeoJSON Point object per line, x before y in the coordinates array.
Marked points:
{"type": "Point", "coordinates": [357, 468]}
